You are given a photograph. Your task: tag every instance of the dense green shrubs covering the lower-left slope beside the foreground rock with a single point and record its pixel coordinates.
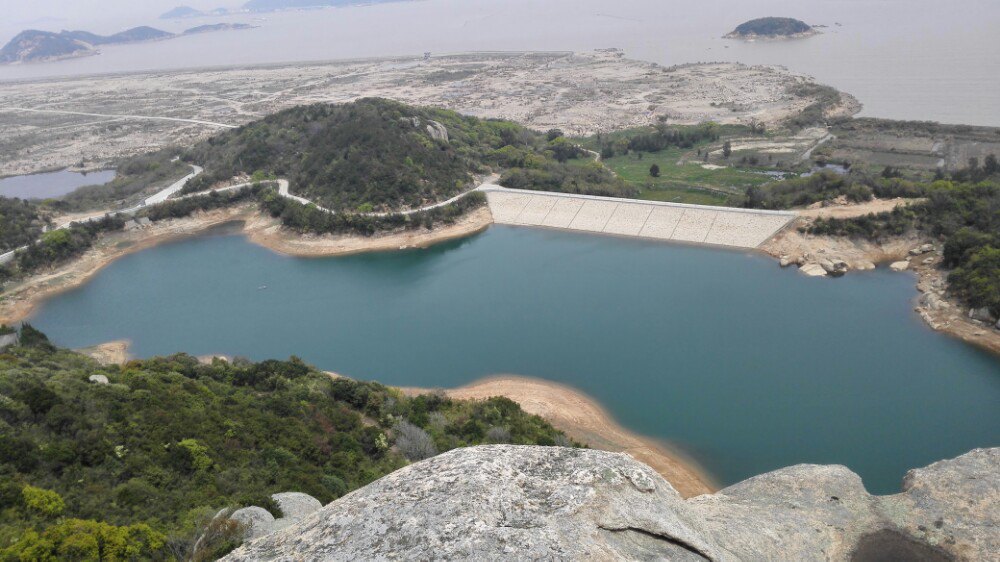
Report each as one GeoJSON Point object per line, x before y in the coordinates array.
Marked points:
{"type": "Point", "coordinates": [143, 463]}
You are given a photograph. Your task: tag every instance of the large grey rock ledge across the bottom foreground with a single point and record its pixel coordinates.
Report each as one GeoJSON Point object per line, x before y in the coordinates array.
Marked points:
{"type": "Point", "coordinates": [546, 503]}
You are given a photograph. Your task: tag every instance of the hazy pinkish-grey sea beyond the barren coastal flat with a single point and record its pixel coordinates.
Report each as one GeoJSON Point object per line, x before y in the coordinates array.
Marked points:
{"type": "Point", "coordinates": [904, 59]}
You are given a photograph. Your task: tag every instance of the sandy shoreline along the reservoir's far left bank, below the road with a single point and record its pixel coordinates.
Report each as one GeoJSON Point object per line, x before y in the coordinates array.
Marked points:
{"type": "Point", "coordinates": [19, 301]}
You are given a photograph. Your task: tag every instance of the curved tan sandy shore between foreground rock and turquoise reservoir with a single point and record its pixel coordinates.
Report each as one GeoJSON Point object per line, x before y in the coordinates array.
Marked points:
{"type": "Point", "coordinates": [586, 421]}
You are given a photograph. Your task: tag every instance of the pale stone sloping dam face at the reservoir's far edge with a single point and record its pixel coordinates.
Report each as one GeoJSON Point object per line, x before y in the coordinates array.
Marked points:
{"type": "Point", "coordinates": [698, 224]}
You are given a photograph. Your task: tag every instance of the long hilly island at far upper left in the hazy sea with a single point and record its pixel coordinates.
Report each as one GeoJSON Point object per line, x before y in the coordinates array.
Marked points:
{"type": "Point", "coordinates": [33, 45]}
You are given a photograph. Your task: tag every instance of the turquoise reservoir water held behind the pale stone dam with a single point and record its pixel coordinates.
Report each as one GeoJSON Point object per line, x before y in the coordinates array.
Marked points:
{"type": "Point", "coordinates": [747, 366]}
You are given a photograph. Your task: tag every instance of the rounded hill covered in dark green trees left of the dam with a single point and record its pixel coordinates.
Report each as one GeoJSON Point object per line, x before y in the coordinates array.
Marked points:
{"type": "Point", "coordinates": [380, 155]}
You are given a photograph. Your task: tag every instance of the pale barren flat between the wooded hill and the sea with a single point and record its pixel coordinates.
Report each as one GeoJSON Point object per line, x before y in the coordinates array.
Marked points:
{"type": "Point", "coordinates": [581, 93]}
